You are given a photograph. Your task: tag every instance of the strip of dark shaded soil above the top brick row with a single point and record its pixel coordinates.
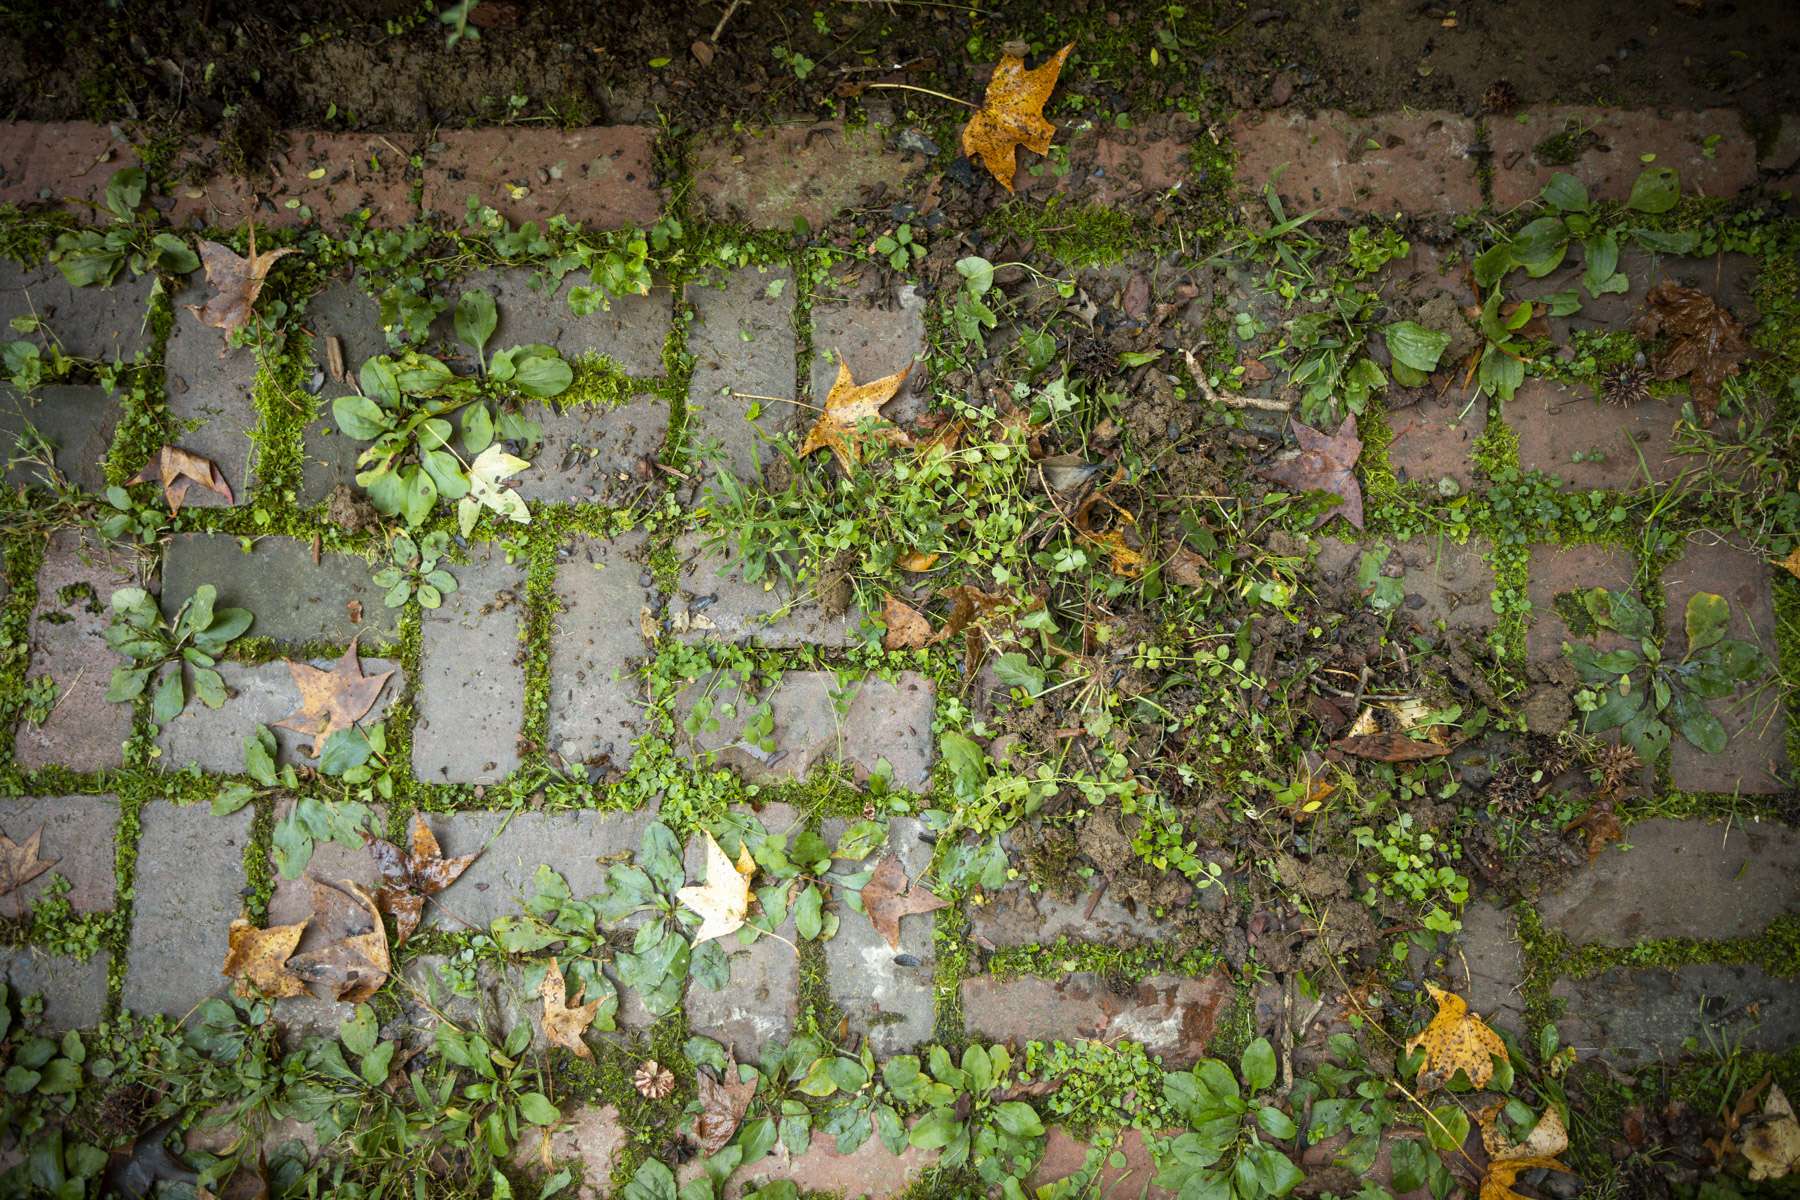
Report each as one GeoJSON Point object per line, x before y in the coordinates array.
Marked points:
{"type": "Point", "coordinates": [246, 67]}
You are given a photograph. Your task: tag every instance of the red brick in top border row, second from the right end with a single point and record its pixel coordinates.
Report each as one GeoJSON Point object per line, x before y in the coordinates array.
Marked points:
{"type": "Point", "coordinates": [1396, 163]}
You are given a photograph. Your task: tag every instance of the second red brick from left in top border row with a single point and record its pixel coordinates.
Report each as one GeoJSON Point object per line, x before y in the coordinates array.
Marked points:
{"type": "Point", "coordinates": [357, 172]}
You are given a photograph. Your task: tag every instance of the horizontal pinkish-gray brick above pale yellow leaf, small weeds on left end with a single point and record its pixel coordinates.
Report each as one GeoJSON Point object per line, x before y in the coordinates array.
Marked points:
{"type": "Point", "coordinates": [881, 721]}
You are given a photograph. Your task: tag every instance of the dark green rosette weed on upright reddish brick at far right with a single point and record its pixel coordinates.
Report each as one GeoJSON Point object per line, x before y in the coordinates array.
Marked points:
{"type": "Point", "coordinates": [1641, 694]}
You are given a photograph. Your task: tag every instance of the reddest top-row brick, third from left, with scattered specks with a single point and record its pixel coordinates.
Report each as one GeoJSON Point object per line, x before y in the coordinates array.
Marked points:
{"type": "Point", "coordinates": [602, 177]}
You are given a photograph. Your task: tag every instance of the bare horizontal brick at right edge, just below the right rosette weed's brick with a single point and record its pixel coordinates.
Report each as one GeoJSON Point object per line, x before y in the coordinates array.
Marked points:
{"type": "Point", "coordinates": [1680, 879]}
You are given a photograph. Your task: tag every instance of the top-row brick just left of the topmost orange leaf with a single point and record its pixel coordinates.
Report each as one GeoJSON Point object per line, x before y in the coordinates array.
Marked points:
{"type": "Point", "coordinates": [813, 172]}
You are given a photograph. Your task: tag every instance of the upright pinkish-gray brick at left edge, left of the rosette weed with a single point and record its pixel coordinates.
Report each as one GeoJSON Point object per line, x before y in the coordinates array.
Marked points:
{"type": "Point", "coordinates": [67, 643]}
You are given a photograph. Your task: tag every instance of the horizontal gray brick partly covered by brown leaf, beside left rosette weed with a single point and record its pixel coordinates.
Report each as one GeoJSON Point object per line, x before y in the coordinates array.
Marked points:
{"type": "Point", "coordinates": [260, 695]}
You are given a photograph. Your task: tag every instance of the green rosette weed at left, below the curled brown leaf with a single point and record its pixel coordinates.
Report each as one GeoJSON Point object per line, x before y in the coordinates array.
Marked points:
{"type": "Point", "coordinates": [188, 647]}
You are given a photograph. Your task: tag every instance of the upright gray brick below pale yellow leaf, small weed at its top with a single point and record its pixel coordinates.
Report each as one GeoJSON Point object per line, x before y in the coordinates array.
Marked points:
{"type": "Point", "coordinates": [472, 681]}
